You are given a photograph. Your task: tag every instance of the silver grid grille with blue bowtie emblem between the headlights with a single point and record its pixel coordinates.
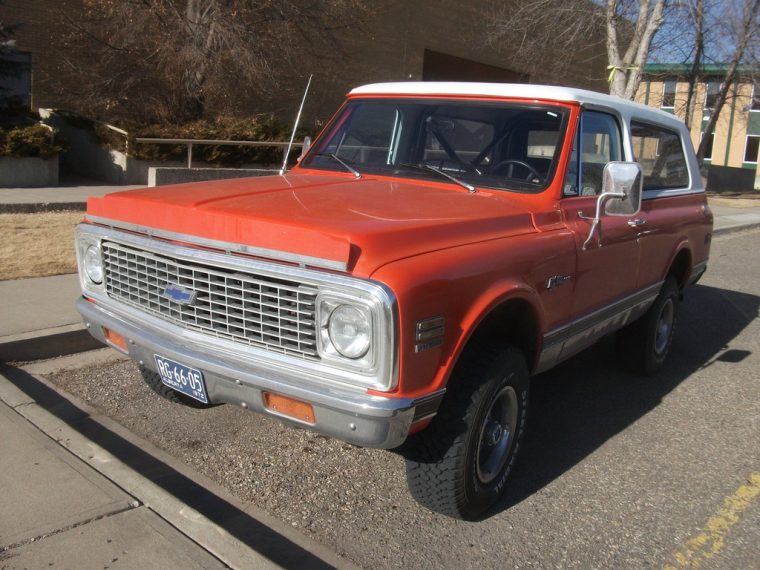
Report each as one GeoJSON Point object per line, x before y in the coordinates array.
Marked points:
{"type": "Point", "coordinates": [258, 310]}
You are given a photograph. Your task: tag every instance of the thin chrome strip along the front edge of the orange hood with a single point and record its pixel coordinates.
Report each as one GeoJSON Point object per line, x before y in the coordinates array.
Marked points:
{"type": "Point", "coordinates": [301, 260]}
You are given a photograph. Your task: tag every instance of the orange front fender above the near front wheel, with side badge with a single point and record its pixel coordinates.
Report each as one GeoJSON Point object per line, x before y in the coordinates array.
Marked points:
{"type": "Point", "coordinates": [463, 285]}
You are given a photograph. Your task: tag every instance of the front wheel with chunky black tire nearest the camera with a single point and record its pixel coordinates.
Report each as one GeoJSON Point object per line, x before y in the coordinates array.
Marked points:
{"type": "Point", "coordinates": [459, 465]}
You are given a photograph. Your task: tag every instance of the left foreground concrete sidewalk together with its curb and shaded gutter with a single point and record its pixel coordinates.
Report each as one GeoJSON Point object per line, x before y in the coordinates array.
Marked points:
{"type": "Point", "coordinates": [81, 491]}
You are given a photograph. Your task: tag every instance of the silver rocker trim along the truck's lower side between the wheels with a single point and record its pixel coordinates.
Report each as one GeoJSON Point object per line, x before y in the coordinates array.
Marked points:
{"type": "Point", "coordinates": [569, 339]}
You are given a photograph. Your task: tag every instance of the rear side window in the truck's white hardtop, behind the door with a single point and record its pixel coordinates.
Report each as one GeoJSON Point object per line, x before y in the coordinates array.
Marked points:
{"type": "Point", "coordinates": [660, 153]}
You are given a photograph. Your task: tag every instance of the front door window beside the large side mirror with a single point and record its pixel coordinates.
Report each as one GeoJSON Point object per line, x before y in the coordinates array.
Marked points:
{"type": "Point", "coordinates": [597, 142]}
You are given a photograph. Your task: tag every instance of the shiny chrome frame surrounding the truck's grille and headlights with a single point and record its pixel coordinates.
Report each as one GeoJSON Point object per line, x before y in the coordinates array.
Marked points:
{"type": "Point", "coordinates": [384, 375]}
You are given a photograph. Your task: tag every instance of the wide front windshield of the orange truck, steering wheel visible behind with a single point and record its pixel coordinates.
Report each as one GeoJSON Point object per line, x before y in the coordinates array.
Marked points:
{"type": "Point", "coordinates": [492, 144]}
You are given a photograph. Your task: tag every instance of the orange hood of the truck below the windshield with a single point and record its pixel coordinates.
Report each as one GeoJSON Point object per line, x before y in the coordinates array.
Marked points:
{"type": "Point", "coordinates": [359, 224]}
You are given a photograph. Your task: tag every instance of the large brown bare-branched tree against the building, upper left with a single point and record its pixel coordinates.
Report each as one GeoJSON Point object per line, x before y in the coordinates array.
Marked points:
{"type": "Point", "coordinates": [174, 57]}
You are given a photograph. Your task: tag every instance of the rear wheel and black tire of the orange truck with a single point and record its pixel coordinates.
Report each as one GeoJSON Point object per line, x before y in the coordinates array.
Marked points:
{"type": "Point", "coordinates": [644, 344]}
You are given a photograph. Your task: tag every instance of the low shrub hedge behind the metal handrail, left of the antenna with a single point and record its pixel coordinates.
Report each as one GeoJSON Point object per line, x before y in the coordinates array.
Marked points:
{"type": "Point", "coordinates": [258, 128]}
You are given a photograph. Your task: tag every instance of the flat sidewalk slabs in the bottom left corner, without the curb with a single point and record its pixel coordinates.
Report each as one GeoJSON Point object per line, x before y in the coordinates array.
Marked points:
{"type": "Point", "coordinates": [58, 511]}
